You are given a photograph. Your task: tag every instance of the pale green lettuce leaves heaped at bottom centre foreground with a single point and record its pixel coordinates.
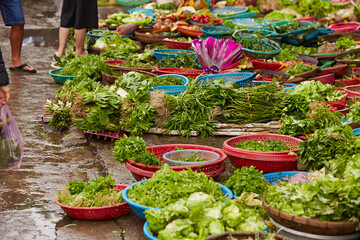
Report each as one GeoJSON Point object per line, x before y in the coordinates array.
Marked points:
{"type": "Point", "coordinates": [200, 216]}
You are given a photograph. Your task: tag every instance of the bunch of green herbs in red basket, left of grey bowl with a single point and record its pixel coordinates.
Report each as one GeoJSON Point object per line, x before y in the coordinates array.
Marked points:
{"type": "Point", "coordinates": [134, 148]}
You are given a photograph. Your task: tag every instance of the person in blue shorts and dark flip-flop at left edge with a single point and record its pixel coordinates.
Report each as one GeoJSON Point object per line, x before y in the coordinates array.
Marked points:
{"type": "Point", "coordinates": [13, 15]}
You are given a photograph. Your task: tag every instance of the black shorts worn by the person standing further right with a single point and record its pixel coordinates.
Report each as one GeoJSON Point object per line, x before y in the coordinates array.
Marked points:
{"type": "Point", "coordinates": [79, 14]}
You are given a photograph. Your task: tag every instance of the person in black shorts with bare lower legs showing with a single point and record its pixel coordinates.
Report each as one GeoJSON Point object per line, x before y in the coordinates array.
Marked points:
{"type": "Point", "coordinates": [79, 14]}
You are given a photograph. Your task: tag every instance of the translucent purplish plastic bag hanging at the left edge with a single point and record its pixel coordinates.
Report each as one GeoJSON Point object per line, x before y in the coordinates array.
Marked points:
{"type": "Point", "coordinates": [11, 144]}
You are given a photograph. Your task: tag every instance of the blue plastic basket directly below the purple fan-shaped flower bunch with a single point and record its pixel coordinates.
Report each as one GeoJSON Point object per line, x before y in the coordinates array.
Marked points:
{"type": "Point", "coordinates": [240, 78]}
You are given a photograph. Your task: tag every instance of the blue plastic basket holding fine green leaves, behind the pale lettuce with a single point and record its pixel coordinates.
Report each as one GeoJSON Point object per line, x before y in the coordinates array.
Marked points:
{"type": "Point", "coordinates": [139, 209]}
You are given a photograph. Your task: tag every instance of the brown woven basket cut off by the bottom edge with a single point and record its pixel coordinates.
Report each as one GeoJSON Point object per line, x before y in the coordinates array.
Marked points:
{"type": "Point", "coordinates": [243, 235]}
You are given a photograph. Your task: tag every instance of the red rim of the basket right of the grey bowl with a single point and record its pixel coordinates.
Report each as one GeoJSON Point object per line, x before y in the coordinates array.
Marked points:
{"type": "Point", "coordinates": [227, 148]}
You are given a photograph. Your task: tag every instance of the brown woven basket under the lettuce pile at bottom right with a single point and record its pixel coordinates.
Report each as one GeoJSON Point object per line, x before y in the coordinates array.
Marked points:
{"type": "Point", "coordinates": [309, 225]}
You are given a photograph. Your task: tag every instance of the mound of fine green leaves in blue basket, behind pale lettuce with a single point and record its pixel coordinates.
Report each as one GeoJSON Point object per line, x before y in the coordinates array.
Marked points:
{"type": "Point", "coordinates": [168, 186]}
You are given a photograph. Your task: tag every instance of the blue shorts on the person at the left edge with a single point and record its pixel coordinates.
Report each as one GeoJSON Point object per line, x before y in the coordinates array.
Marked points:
{"type": "Point", "coordinates": [12, 12]}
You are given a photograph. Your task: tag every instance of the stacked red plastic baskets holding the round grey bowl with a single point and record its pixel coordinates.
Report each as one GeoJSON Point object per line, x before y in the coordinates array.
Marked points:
{"type": "Point", "coordinates": [214, 169]}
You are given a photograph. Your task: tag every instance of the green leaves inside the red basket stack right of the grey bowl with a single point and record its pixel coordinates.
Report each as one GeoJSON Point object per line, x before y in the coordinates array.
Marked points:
{"type": "Point", "coordinates": [264, 146]}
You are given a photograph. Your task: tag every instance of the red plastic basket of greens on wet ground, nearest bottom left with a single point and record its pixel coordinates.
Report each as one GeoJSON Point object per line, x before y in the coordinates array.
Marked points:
{"type": "Point", "coordinates": [97, 213]}
